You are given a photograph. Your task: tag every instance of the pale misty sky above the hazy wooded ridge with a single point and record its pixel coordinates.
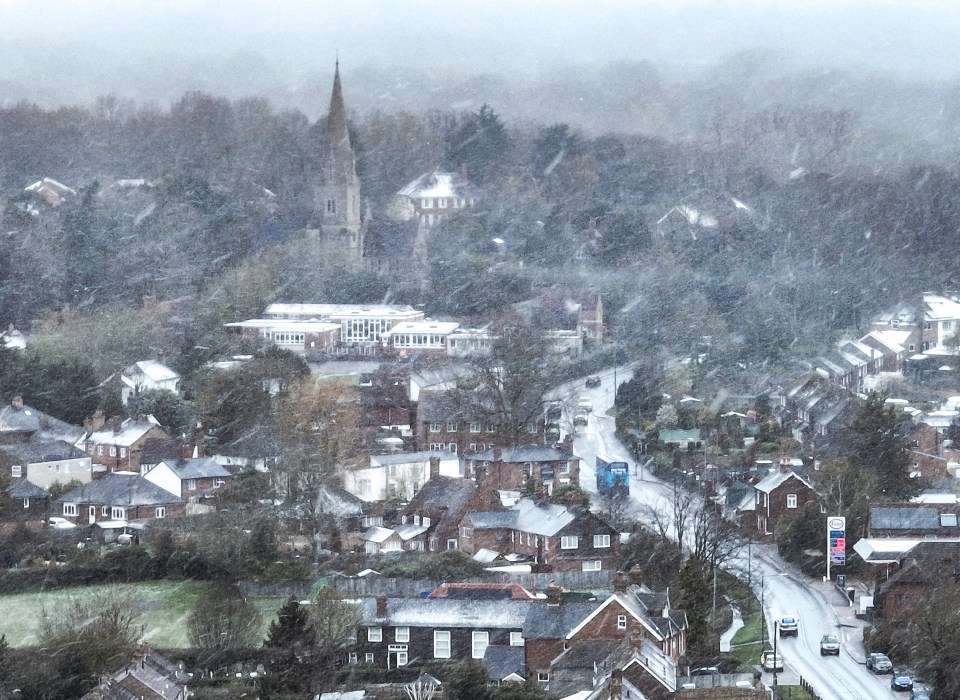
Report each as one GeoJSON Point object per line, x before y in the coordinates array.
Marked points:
{"type": "Point", "coordinates": [239, 47]}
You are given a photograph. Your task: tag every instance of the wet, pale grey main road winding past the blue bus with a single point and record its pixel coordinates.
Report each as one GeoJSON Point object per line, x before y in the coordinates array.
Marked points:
{"type": "Point", "coordinates": [782, 590]}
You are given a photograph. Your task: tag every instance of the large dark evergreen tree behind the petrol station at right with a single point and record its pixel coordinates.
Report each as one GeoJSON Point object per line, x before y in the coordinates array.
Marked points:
{"type": "Point", "coordinates": [877, 442]}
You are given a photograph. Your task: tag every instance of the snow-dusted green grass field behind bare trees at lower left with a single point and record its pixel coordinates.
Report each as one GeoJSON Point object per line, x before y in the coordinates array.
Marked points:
{"type": "Point", "coordinates": [163, 606]}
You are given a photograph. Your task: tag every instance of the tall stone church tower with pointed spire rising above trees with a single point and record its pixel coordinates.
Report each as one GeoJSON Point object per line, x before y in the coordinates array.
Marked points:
{"type": "Point", "coordinates": [336, 195]}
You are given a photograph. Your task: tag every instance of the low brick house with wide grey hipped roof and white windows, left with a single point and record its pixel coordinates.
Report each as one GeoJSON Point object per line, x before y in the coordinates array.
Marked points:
{"type": "Point", "coordinates": [115, 500]}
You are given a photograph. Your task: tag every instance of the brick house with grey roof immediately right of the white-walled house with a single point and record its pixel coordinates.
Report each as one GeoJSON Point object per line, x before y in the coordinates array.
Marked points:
{"type": "Point", "coordinates": [514, 468]}
